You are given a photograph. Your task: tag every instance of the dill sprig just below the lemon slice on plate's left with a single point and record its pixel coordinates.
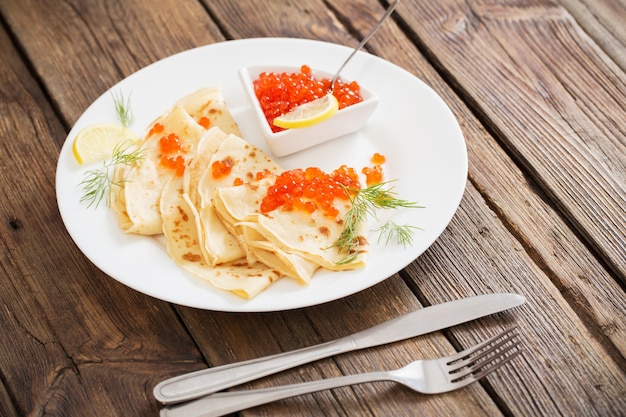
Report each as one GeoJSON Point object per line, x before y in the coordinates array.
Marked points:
{"type": "Point", "coordinates": [96, 183]}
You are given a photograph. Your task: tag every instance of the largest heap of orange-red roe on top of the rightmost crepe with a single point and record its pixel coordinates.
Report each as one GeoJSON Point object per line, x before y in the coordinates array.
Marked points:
{"type": "Point", "coordinates": [310, 189]}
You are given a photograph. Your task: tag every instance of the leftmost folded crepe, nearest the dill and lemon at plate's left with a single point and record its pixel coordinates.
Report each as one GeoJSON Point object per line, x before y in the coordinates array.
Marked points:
{"type": "Point", "coordinates": [135, 199]}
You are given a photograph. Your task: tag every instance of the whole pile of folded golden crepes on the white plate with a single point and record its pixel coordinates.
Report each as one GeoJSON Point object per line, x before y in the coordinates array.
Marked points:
{"type": "Point", "coordinates": [212, 223]}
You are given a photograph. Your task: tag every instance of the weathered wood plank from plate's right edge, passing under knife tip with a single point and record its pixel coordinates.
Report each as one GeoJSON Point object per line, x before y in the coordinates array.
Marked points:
{"type": "Point", "coordinates": [479, 254]}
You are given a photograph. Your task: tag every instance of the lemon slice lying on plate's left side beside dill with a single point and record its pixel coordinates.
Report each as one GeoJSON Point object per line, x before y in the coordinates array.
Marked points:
{"type": "Point", "coordinates": [97, 142]}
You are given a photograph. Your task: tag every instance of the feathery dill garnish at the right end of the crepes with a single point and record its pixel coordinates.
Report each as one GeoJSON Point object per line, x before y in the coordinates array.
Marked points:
{"type": "Point", "coordinates": [365, 202]}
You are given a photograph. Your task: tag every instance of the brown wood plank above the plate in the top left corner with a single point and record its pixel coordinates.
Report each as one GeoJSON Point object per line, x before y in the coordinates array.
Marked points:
{"type": "Point", "coordinates": [87, 46]}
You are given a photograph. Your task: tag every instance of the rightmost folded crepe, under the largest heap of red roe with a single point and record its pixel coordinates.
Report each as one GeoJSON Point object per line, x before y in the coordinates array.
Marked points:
{"type": "Point", "coordinates": [294, 242]}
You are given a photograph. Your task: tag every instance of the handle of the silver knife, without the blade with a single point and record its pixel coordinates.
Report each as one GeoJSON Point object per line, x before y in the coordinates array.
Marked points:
{"type": "Point", "coordinates": [206, 381]}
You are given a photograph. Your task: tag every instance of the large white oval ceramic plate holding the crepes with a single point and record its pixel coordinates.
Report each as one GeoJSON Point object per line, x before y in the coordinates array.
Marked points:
{"type": "Point", "coordinates": [412, 127]}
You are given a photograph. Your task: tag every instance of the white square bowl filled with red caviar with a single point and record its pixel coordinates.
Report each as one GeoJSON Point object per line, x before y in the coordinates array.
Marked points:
{"type": "Point", "coordinates": [275, 90]}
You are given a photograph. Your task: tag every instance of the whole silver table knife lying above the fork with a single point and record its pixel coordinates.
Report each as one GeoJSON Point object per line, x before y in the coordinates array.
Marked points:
{"type": "Point", "coordinates": [206, 381]}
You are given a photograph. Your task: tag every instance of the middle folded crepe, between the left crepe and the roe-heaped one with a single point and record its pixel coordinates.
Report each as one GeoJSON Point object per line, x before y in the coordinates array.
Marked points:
{"type": "Point", "coordinates": [195, 237]}
